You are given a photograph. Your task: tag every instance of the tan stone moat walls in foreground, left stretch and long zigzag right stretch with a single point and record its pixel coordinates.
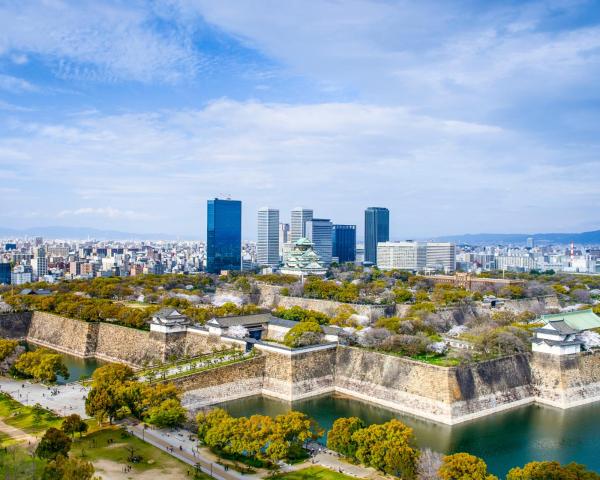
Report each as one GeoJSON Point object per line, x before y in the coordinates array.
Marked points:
{"type": "Point", "coordinates": [445, 394]}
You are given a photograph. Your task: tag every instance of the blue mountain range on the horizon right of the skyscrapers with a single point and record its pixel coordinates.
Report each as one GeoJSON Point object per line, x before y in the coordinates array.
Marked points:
{"type": "Point", "coordinates": [585, 238]}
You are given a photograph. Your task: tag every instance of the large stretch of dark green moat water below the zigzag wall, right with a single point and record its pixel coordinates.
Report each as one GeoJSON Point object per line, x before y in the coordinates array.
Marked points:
{"type": "Point", "coordinates": [504, 440]}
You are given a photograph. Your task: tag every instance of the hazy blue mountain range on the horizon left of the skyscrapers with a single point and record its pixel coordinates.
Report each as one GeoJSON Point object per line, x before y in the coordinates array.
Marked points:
{"type": "Point", "coordinates": [81, 233]}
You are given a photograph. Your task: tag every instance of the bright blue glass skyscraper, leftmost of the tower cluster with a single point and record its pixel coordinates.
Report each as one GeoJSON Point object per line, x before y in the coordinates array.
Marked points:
{"type": "Point", "coordinates": [224, 235]}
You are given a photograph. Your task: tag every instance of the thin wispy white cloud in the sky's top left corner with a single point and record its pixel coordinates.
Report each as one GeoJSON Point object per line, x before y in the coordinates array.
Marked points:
{"type": "Point", "coordinates": [104, 41]}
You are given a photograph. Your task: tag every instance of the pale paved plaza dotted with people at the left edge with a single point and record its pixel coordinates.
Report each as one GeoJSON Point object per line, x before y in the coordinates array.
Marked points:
{"type": "Point", "coordinates": [67, 400]}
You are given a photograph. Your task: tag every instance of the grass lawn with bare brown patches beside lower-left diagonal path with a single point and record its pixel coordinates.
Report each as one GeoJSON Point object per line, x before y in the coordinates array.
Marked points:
{"type": "Point", "coordinates": [95, 447]}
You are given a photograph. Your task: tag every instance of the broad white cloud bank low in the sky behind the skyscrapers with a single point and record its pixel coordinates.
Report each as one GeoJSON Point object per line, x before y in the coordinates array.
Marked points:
{"type": "Point", "coordinates": [337, 157]}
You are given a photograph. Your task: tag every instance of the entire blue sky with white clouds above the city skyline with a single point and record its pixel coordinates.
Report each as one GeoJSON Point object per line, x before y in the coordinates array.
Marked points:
{"type": "Point", "coordinates": [458, 116]}
